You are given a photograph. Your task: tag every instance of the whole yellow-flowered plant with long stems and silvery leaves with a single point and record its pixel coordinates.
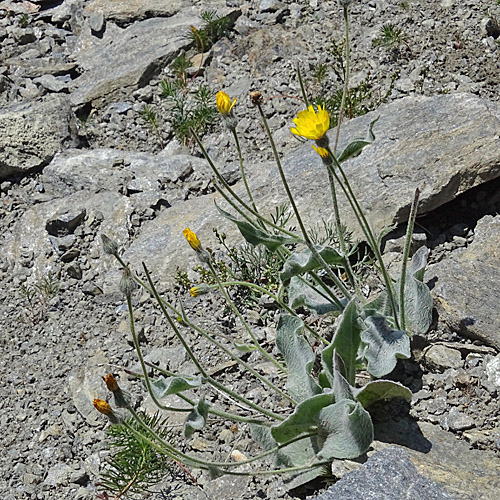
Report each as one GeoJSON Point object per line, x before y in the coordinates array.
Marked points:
{"type": "Point", "coordinates": [323, 412]}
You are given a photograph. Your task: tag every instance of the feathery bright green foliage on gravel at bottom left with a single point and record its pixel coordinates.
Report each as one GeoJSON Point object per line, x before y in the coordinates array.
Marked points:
{"type": "Point", "coordinates": [134, 466]}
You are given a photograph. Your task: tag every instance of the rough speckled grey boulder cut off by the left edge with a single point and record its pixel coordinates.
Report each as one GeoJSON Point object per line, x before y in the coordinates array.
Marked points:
{"type": "Point", "coordinates": [32, 132]}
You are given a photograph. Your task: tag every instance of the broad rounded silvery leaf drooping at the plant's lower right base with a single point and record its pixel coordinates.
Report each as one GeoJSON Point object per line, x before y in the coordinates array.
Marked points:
{"type": "Point", "coordinates": [347, 430]}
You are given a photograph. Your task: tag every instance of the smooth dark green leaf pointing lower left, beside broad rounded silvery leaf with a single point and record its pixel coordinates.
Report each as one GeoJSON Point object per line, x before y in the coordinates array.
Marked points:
{"type": "Point", "coordinates": [303, 418]}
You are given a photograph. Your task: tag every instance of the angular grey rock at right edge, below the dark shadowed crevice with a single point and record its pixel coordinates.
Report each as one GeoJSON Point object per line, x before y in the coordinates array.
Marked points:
{"type": "Point", "coordinates": [466, 286]}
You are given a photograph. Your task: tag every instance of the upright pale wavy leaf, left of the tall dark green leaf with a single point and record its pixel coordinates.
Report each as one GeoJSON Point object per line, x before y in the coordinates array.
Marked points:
{"type": "Point", "coordinates": [299, 357]}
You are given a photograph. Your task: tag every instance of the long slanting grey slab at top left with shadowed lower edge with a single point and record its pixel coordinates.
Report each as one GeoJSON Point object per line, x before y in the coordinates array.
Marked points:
{"type": "Point", "coordinates": [124, 59]}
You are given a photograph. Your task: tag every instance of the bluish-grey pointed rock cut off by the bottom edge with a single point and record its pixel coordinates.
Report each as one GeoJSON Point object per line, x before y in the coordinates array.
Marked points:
{"type": "Point", "coordinates": [387, 475]}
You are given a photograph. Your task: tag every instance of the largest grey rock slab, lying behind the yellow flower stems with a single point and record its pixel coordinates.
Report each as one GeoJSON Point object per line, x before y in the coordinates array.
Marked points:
{"type": "Point", "coordinates": [444, 145]}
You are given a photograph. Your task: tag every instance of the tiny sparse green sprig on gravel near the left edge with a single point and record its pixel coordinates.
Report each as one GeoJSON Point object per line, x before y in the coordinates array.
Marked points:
{"type": "Point", "coordinates": [37, 298]}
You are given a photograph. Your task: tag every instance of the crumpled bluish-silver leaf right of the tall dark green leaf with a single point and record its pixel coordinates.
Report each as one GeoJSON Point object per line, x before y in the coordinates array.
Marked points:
{"type": "Point", "coordinates": [384, 345]}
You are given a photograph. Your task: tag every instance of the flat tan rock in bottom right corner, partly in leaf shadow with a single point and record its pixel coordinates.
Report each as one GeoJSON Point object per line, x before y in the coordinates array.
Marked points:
{"type": "Point", "coordinates": [464, 473]}
